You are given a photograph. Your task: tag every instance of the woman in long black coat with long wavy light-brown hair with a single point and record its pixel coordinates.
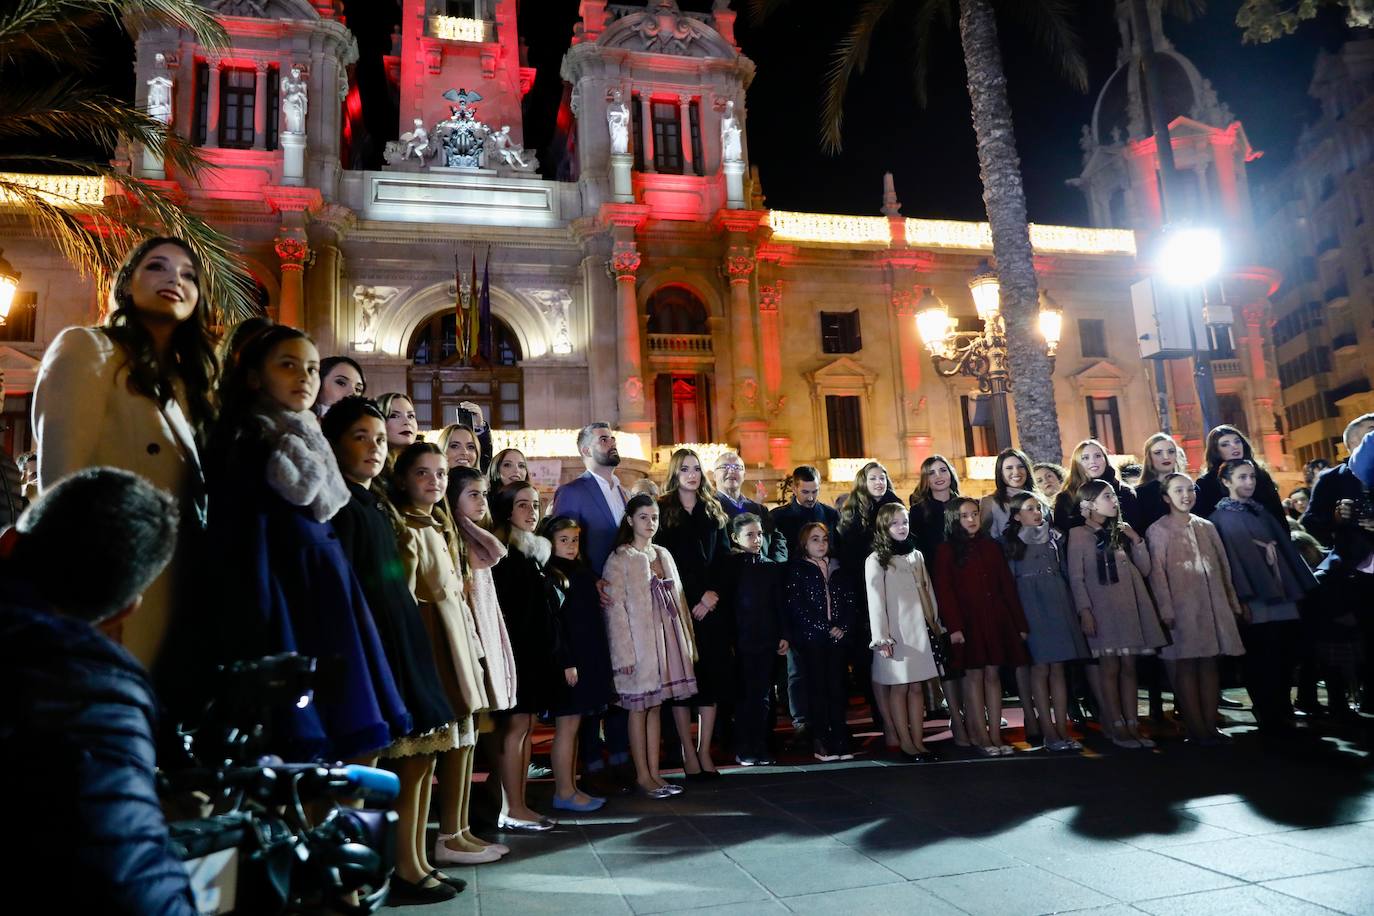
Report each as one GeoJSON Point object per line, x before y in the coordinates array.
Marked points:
{"type": "Point", "coordinates": [692, 528]}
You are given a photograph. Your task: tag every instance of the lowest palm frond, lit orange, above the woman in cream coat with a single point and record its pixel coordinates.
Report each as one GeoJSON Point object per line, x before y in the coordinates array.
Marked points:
{"type": "Point", "coordinates": [95, 238]}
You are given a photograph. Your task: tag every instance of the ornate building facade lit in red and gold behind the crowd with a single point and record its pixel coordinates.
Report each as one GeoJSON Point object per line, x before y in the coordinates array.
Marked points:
{"type": "Point", "coordinates": [649, 285]}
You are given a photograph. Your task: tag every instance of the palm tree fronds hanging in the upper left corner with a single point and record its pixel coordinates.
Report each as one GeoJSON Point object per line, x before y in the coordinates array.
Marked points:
{"type": "Point", "coordinates": [52, 36]}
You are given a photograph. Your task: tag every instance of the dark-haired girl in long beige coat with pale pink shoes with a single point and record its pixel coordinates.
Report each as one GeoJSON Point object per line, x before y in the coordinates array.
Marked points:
{"type": "Point", "coordinates": [429, 554]}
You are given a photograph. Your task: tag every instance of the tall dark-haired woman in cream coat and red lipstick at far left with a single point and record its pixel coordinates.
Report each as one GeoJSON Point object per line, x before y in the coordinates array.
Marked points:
{"type": "Point", "coordinates": [137, 395]}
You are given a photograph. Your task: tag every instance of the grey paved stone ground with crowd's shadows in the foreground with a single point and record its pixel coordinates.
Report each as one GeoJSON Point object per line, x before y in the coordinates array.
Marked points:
{"type": "Point", "coordinates": [1178, 830]}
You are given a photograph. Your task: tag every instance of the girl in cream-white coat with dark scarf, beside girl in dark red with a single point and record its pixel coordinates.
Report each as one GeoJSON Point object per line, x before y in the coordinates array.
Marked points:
{"type": "Point", "coordinates": [903, 620]}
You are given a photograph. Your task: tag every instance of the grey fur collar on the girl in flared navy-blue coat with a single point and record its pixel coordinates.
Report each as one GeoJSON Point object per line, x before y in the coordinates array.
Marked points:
{"type": "Point", "coordinates": [302, 468]}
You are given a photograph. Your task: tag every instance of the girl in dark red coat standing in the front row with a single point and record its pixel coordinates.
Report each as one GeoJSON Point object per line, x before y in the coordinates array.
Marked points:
{"type": "Point", "coordinates": [983, 613]}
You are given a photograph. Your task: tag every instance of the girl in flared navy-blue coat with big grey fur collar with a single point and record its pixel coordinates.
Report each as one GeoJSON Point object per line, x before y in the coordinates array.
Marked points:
{"type": "Point", "coordinates": [274, 487]}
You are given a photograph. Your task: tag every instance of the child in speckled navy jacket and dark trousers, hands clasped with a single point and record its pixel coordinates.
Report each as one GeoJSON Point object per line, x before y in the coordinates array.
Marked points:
{"type": "Point", "coordinates": [820, 612]}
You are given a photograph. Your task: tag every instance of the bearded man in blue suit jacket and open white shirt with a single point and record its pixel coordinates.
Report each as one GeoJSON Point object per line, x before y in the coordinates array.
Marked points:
{"type": "Point", "coordinates": [597, 502]}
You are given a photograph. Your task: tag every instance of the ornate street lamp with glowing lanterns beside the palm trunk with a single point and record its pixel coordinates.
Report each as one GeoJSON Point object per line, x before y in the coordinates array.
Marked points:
{"type": "Point", "coordinates": [982, 355]}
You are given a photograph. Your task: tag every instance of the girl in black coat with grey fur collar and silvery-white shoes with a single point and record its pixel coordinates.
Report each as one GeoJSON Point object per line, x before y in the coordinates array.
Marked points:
{"type": "Point", "coordinates": [527, 602]}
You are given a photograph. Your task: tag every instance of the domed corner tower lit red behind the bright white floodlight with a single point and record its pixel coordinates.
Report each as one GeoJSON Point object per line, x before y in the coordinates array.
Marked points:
{"type": "Point", "coordinates": [1120, 179]}
